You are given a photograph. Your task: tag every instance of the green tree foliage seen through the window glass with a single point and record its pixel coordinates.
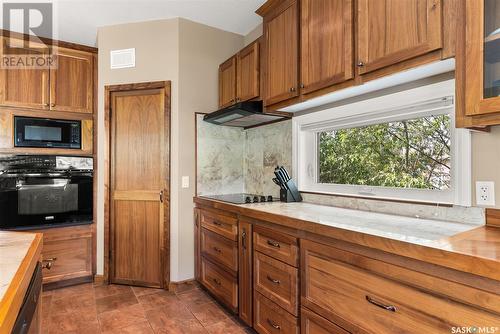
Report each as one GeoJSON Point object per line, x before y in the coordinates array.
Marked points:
{"type": "Point", "coordinates": [406, 154]}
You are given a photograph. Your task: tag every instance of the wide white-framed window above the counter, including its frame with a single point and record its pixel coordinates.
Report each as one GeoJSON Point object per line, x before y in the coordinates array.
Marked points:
{"type": "Point", "coordinates": [387, 148]}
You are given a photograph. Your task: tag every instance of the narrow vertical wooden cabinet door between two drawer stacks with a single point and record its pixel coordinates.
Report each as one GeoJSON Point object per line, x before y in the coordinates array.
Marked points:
{"type": "Point", "coordinates": [245, 272]}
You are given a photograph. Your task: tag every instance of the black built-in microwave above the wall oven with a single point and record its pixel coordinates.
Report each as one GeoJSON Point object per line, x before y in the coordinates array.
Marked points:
{"type": "Point", "coordinates": [45, 132]}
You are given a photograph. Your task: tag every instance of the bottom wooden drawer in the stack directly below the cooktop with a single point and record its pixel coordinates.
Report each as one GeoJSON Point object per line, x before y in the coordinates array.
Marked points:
{"type": "Point", "coordinates": [220, 283]}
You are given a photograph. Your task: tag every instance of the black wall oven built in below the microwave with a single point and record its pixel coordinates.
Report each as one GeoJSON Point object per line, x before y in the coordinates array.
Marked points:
{"type": "Point", "coordinates": [45, 191]}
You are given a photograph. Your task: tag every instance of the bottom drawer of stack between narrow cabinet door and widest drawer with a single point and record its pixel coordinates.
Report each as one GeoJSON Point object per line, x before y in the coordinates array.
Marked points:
{"type": "Point", "coordinates": [272, 319]}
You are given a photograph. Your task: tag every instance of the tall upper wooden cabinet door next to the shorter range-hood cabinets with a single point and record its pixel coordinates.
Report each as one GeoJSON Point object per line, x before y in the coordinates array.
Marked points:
{"type": "Point", "coordinates": [281, 53]}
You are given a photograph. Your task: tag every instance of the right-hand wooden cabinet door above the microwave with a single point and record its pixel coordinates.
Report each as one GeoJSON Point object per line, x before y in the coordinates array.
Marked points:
{"type": "Point", "coordinates": [71, 81]}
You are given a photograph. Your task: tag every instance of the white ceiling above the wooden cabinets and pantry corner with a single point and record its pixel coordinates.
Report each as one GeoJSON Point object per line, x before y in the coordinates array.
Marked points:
{"type": "Point", "coordinates": [77, 20]}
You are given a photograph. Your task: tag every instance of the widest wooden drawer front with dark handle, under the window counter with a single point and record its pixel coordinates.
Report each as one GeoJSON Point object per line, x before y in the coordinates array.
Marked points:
{"type": "Point", "coordinates": [343, 292]}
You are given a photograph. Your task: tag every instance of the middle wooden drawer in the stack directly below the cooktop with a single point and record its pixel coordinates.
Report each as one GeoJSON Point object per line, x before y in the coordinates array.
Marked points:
{"type": "Point", "coordinates": [219, 249]}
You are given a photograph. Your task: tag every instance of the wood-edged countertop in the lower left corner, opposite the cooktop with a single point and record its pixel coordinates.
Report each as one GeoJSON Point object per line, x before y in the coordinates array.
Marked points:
{"type": "Point", "coordinates": [19, 253]}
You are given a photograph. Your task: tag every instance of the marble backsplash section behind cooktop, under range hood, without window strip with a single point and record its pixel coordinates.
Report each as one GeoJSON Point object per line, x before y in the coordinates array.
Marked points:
{"type": "Point", "coordinates": [233, 160]}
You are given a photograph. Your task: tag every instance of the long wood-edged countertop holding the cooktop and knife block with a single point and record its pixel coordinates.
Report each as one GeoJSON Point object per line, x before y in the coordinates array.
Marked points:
{"type": "Point", "coordinates": [466, 247]}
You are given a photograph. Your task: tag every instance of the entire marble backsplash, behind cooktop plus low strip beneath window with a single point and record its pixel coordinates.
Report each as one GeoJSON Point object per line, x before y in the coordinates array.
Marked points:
{"type": "Point", "coordinates": [233, 160]}
